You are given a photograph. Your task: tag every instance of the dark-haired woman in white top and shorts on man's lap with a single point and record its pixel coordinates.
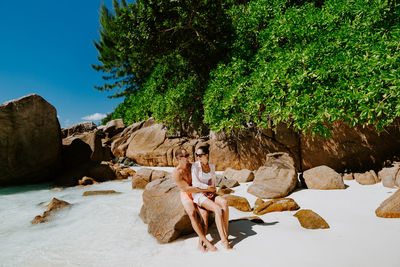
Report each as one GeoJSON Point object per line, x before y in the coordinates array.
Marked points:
{"type": "Point", "coordinates": [203, 175]}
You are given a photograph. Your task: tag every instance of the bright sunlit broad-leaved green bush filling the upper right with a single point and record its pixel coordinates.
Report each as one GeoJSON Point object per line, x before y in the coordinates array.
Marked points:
{"type": "Point", "coordinates": [309, 66]}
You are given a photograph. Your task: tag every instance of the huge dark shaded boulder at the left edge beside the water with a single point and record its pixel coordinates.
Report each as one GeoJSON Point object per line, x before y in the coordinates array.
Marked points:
{"type": "Point", "coordinates": [30, 141]}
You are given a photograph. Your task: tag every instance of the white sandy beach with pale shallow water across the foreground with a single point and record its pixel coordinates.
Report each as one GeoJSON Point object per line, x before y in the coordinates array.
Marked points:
{"type": "Point", "coordinates": [106, 231]}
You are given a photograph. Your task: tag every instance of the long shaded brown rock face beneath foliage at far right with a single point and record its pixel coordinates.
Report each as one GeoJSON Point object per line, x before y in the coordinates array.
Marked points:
{"type": "Point", "coordinates": [358, 148]}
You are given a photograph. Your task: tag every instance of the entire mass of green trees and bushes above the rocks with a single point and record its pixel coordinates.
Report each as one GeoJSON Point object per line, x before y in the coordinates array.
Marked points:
{"type": "Point", "coordinates": [229, 65]}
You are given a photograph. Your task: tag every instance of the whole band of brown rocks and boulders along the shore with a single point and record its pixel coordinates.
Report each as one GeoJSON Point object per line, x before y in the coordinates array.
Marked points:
{"type": "Point", "coordinates": [84, 154]}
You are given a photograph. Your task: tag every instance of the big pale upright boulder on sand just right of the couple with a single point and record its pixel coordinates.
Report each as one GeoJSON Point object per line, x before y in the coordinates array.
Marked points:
{"type": "Point", "coordinates": [275, 180]}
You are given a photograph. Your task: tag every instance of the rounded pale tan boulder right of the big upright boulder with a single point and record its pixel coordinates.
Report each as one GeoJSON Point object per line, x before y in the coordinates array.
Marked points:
{"type": "Point", "coordinates": [323, 177]}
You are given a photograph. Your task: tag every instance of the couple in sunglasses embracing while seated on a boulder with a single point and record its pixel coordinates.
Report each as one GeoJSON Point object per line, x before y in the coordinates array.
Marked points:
{"type": "Point", "coordinates": [197, 184]}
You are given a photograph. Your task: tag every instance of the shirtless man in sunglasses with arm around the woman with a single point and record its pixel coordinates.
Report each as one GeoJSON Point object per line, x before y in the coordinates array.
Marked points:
{"type": "Point", "coordinates": [183, 178]}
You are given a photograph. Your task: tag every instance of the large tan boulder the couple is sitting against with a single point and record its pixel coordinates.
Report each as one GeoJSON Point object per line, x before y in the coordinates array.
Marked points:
{"type": "Point", "coordinates": [162, 210]}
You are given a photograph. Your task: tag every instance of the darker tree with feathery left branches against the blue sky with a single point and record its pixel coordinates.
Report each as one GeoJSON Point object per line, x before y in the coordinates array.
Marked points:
{"type": "Point", "coordinates": [163, 52]}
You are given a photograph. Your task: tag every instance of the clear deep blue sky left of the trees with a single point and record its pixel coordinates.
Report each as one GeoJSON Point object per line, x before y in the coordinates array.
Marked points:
{"type": "Point", "coordinates": [46, 48]}
